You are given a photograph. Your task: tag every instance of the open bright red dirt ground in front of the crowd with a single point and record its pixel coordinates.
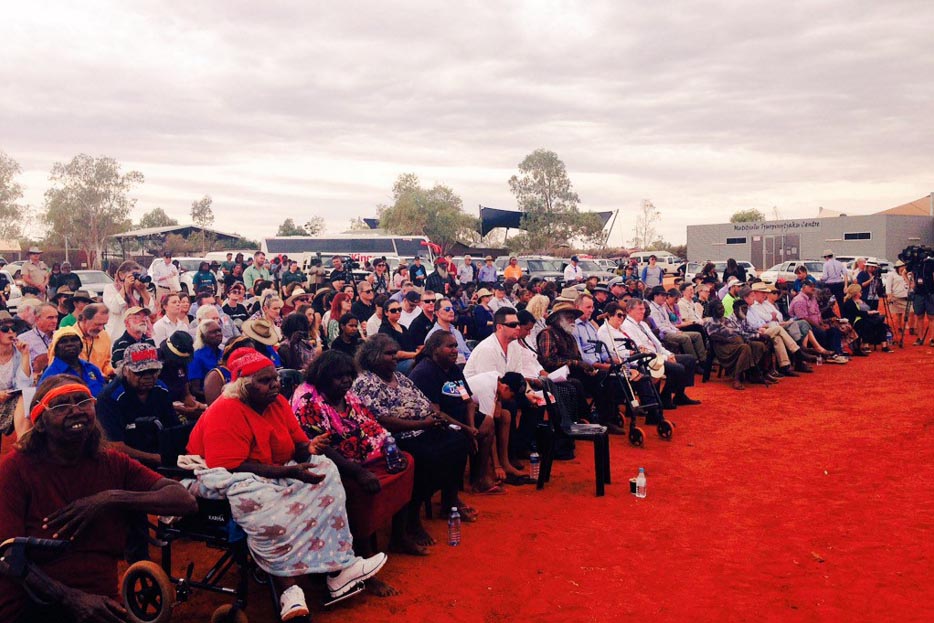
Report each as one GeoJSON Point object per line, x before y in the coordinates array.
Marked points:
{"type": "Point", "coordinates": [809, 501]}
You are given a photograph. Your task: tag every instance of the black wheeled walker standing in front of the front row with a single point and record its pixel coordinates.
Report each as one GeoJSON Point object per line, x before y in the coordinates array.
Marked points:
{"type": "Point", "coordinates": [635, 408]}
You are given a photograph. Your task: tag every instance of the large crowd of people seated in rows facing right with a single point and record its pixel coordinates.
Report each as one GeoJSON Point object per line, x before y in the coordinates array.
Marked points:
{"type": "Point", "coordinates": [445, 360]}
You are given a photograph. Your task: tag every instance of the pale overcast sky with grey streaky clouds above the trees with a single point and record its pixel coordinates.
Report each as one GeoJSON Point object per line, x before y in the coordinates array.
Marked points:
{"type": "Point", "coordinates": [291, 109]}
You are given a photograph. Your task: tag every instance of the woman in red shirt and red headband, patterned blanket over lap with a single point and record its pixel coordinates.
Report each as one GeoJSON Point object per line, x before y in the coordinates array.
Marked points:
{"type": "Point", "coordinates": [291, 531]}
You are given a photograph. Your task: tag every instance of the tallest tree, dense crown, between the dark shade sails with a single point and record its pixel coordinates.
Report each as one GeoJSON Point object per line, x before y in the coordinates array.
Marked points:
{"type": "Point", "coordinates": [551, 216]}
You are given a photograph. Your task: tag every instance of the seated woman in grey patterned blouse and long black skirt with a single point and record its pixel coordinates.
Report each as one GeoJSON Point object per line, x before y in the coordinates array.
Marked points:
{"type": "Point", "coordinates": [400, 407]}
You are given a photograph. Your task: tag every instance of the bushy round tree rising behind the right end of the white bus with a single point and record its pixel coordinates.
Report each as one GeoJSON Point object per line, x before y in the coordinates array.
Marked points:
{"type": "Point", "coordinates": [437, 213]}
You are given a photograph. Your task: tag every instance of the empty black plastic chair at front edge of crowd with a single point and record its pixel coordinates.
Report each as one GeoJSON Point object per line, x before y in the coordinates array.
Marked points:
{"type": "Point", "coordinates": [561, 424]}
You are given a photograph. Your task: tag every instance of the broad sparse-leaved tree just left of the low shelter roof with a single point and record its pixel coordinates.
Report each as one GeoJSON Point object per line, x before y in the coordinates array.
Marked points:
{"type": "Point", "coordinates": [89, 201]}
